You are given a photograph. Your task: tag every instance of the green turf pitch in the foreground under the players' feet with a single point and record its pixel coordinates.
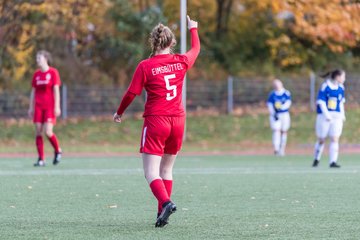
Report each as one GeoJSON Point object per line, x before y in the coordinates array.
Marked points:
{"type": "Point", "coordinates": [218, 197]}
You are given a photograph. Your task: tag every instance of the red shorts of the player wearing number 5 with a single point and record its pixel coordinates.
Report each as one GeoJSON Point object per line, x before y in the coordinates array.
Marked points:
{"type": "Point", "coordinates": [162, 134]}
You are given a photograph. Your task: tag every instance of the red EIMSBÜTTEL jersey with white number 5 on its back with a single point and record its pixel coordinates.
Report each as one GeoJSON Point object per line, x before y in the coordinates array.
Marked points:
{"type": "Point", "coordinates": [162, 76]}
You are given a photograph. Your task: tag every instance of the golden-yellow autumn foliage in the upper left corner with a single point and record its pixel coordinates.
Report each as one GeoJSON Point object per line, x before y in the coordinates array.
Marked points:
{"type": "Point", "coordinates": [27, 26]}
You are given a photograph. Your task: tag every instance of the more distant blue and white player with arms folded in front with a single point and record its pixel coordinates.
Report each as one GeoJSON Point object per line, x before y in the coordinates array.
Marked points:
{"type": "Point", "coordinates": [279, 103]}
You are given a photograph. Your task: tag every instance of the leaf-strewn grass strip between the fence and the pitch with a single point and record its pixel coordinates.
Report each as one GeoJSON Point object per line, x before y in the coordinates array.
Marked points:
{"type": "Point", "coordinates": [204, 133]}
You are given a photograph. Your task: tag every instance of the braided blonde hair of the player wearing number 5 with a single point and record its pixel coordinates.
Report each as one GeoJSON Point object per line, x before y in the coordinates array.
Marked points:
{"type": "Point", "coordinates": [161, 37]}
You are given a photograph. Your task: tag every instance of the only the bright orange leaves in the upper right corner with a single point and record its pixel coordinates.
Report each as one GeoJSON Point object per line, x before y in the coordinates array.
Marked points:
{"type": "Point", "coordinates": [333, 22]}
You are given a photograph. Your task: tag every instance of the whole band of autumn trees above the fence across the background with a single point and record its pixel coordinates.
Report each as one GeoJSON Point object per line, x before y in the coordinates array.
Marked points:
{"type": "Point", "coordinates": [101, 41]}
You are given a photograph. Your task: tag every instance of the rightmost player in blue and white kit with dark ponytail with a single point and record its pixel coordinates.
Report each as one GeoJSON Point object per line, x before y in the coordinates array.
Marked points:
{"type": "Point", "coordinates": [330, 116]}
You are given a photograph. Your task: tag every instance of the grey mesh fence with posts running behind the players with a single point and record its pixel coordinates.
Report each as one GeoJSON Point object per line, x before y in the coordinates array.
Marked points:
{"type": "Point", "coordinates": [223, 96]}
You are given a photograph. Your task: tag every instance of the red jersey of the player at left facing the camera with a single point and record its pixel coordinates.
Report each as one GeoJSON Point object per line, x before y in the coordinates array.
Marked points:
{"type": "Point", "coordinates": [44, 83]}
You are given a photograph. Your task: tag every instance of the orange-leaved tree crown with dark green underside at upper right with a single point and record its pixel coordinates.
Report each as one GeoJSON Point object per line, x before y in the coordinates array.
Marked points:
{"type": "Point", "coordinates": [314, 31]}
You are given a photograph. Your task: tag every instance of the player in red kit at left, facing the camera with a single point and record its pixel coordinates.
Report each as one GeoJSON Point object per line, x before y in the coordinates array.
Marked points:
{"type": "Point", "coordinates": [45, 105]}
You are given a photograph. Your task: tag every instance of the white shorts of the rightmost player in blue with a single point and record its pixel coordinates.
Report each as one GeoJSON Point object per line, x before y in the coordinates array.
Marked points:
{"type": "Point", "coordinates": [325, 128]}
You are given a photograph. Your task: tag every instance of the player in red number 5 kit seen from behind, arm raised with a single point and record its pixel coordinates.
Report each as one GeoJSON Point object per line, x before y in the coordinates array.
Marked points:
{"type": "Point", "coordinates": [162, 76]}
